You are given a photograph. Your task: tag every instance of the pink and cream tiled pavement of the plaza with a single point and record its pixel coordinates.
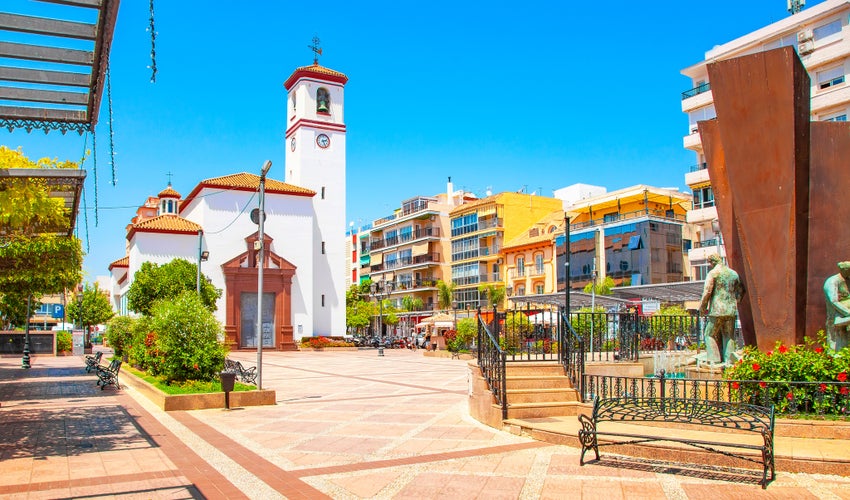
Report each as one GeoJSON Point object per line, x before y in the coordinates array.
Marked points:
{"type": "Point", "coordinates": [346, 425]}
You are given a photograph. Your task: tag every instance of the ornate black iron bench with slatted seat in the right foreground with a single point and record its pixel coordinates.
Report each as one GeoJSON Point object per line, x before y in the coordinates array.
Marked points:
{"type": "Point", "coordinates": [737, 416]}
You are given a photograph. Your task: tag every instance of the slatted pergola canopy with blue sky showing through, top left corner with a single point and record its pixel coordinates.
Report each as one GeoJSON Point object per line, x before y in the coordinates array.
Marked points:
{"type": "Point", "coordinates": [52, 68]}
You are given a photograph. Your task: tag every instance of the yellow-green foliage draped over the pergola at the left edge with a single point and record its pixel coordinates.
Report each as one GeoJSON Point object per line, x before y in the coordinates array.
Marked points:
{"type": "Point", "coordinates": [34, 260]}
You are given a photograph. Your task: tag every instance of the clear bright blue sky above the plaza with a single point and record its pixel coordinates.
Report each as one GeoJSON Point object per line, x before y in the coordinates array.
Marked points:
{"type": "Point", "coordinates": [515, 94]}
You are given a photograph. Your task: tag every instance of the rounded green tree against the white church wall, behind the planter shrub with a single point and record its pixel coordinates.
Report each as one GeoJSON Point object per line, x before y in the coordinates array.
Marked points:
{"type": "Point", "coordinates": [153, 282]}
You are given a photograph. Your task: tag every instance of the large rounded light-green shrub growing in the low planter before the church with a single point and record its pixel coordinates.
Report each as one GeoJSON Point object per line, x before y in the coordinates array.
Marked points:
{"type": "Point", "coordinates": [186, 340]}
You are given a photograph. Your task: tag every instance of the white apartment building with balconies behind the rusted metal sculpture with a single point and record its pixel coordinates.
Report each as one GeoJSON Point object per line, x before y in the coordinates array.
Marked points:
{"type": "Point", "coordinates": [821, 37]}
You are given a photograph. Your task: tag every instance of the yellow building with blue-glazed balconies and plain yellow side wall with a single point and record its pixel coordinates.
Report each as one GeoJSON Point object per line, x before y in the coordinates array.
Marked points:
{"type": "Point", "coordinates": [479, 231]}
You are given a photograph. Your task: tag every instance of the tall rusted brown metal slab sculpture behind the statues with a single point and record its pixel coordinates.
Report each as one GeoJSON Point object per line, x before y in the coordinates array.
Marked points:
{"type": "Point", "coordinates": [768, 166]}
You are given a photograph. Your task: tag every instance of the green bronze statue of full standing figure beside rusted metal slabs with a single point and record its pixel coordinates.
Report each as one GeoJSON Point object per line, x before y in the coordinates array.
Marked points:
{"type": "Point", "coordinates": [720, 297]}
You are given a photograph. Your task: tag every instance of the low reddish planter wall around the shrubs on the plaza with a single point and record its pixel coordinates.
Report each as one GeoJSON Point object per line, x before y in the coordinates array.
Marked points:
{"type": "Point", "coordinates": [196, 401]}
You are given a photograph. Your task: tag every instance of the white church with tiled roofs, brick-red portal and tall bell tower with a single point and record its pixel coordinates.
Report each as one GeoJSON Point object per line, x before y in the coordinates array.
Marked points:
{"type": "Point", "coordinates": [304, 248]}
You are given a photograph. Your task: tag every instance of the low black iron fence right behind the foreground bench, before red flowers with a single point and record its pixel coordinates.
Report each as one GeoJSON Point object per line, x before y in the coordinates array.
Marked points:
{"type": "Point", "coordinates": [788, 397]}
